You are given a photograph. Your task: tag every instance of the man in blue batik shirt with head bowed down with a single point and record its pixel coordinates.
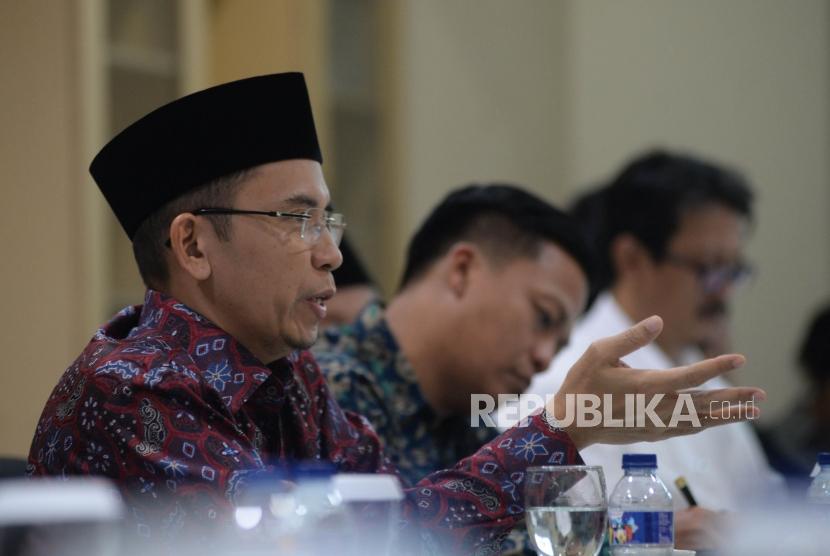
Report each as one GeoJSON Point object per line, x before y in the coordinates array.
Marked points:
{"type": "Point", "coordinates": [494, 278]}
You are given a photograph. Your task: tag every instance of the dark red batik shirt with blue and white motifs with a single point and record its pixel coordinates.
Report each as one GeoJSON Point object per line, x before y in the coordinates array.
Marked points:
{"type": "Point", "coordinates": [177, 413]}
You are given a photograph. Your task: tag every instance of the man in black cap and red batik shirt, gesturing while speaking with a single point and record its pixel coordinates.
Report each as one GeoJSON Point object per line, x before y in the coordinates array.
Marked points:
{"type": "Point", "coordinates": [182, 399]}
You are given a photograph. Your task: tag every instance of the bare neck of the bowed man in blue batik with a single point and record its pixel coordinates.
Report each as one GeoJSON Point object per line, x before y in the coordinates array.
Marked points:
{"type": "Point", "coordinates": [413, 324]}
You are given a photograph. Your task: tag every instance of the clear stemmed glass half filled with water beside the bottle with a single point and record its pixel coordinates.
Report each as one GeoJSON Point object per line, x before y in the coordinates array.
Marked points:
{"type": "Point", "coordinates": [566, 509]}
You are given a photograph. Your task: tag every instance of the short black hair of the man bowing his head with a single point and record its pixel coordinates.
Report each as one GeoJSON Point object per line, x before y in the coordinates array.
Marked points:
{"type": "Point", "coordinates": [505, 220]}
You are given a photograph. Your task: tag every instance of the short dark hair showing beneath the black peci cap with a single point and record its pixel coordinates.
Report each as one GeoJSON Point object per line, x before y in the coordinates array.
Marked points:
{"type": "Point", "coordinates": [150, 239]}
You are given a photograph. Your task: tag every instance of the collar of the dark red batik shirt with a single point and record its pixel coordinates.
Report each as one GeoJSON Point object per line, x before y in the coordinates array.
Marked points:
{"type": "Point", "coordinates": [223, 364]}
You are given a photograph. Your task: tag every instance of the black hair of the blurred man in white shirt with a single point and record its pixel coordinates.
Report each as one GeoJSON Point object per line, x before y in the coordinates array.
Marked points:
{"type": "Point", "coordinates": [648, 198]}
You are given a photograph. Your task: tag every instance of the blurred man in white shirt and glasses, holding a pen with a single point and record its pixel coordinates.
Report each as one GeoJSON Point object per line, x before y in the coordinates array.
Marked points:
{"type": "Point", "coordinates": [671, 230]}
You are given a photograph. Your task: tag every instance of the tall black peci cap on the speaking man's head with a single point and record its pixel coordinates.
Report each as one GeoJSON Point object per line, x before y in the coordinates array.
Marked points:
{"type": "Point", "coordinates": [202, 137]}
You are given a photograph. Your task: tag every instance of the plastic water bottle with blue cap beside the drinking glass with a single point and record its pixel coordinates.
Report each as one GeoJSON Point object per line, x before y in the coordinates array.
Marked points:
{"type": "Point", "coordinates": [640, 510]}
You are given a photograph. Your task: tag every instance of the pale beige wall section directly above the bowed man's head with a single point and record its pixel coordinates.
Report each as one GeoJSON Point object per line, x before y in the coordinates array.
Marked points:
{"type": "Point", "coordinates": [481, 97]}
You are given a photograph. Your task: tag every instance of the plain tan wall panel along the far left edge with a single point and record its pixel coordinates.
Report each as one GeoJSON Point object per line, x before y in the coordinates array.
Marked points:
{"type": "Point", "coordinates": [40, 271]}
